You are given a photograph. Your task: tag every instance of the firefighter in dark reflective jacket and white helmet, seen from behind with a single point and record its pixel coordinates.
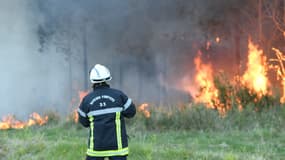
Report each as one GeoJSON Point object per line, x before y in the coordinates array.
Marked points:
{"type": "Point", "coordinates": [103, 110]}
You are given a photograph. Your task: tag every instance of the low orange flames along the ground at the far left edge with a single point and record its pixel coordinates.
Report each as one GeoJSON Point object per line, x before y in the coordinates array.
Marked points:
{"type": "Point", "coordinates": [10, 121]}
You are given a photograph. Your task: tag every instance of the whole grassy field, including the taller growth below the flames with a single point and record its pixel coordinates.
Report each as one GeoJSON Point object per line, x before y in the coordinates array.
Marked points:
{"type": "Point", "coordinates": [222, 141]}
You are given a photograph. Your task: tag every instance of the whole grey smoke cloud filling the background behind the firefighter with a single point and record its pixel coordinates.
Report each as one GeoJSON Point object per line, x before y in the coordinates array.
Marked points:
{"type": "Point", "coordinates": [149, 47]}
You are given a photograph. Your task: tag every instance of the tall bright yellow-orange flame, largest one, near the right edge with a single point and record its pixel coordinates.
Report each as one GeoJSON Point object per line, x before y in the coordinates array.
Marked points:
{"type": "Point", "coordinates": [255, 76]}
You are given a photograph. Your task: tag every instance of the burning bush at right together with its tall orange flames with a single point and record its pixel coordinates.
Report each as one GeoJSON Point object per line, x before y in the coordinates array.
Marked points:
{"type": "Point", "coordinates": [252, 88]}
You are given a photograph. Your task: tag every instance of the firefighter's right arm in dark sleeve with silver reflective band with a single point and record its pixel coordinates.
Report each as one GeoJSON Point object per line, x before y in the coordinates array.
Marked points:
{"type": "Point", "coordinates": [129, 108]}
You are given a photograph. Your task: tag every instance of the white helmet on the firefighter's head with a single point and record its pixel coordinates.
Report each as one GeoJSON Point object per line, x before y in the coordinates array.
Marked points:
{"type": "Point", "coordinates": [99, 74]}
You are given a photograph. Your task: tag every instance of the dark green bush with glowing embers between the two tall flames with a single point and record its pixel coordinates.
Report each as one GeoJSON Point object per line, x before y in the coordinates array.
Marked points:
{"type": "Point", "coordinates": [239, 96]}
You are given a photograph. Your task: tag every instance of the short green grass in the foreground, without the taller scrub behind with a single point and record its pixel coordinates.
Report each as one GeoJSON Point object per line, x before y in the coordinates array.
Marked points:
{"type": "Point", "coordinates": [67, 141]}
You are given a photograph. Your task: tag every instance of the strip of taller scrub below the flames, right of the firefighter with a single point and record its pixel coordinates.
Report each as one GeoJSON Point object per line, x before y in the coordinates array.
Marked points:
{"type": "Point", "coordinates": [199, 117]}
